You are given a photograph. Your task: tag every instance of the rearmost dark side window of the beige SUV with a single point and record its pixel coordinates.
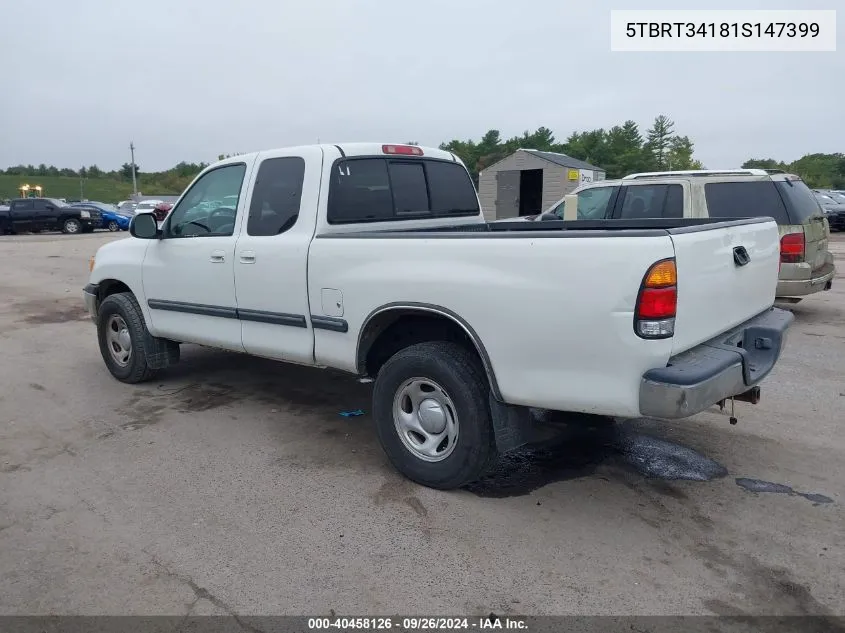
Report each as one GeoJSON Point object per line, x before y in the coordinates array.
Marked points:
{"type": "Point", "coordinates": [754, 199]}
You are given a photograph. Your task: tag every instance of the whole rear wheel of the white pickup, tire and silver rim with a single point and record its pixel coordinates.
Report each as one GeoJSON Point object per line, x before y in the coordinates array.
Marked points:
{"type": "Point", "coordinates": [432, 415]}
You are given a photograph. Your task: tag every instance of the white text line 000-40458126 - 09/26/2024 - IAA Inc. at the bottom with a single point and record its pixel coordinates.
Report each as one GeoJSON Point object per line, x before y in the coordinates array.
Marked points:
{"type": "Point", "coordinates": [416, 623]}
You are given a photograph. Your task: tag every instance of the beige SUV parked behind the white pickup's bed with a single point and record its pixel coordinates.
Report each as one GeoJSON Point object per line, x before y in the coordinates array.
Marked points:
{"type": "Point", "coordinates": [806, 263]}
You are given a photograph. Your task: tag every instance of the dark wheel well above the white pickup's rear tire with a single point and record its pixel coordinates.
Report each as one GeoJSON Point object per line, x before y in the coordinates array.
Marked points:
{"type": "Point", "coordinates": [393, 330]}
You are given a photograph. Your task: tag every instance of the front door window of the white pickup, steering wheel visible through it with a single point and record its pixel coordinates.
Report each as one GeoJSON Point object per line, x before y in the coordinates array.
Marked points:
{"type": "Point", "coordinates": [210, 206]}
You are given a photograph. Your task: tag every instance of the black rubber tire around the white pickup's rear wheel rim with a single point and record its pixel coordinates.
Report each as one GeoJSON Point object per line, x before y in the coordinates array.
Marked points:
{"type": "Point", "coordinates": [459, 373]}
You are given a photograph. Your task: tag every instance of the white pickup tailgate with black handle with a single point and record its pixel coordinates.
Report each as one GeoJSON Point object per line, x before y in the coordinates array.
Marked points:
{"type": "Point", "coordinates": [716, 290]}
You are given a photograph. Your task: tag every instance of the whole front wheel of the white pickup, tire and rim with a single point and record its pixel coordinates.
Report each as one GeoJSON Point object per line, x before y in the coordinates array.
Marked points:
{"type": "Point", "coordinates": [122, 333]}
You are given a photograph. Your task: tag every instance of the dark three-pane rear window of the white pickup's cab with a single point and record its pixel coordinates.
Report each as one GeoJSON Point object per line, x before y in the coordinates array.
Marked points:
{"type": "Point", "coordinates": [379, 189]}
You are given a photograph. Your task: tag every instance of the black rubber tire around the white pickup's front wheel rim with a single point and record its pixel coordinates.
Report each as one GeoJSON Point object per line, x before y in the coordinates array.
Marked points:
{"type": "Point", "coordinates": [126, 306]}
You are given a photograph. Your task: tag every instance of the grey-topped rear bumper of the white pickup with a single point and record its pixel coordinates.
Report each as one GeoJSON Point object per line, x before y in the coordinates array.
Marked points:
{"type": "Point", "coordinates": [725, 366]}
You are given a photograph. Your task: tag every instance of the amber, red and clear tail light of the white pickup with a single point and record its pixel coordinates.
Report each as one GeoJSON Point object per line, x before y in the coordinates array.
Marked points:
{"type": "Point", "coordinates": [657, 302]}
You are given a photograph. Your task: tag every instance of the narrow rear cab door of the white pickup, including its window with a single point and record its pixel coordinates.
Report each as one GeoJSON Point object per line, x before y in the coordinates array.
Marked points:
{"type": "Point", "coordinates": [271, 259]}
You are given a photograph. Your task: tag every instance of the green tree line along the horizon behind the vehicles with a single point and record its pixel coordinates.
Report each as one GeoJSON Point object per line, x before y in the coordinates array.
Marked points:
{"type": "Point", "coordinates": [619, 150]}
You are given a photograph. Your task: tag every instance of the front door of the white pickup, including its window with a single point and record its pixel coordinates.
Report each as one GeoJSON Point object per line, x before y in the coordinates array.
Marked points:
{"type": "Point", "coordinates": [188, 274]}
